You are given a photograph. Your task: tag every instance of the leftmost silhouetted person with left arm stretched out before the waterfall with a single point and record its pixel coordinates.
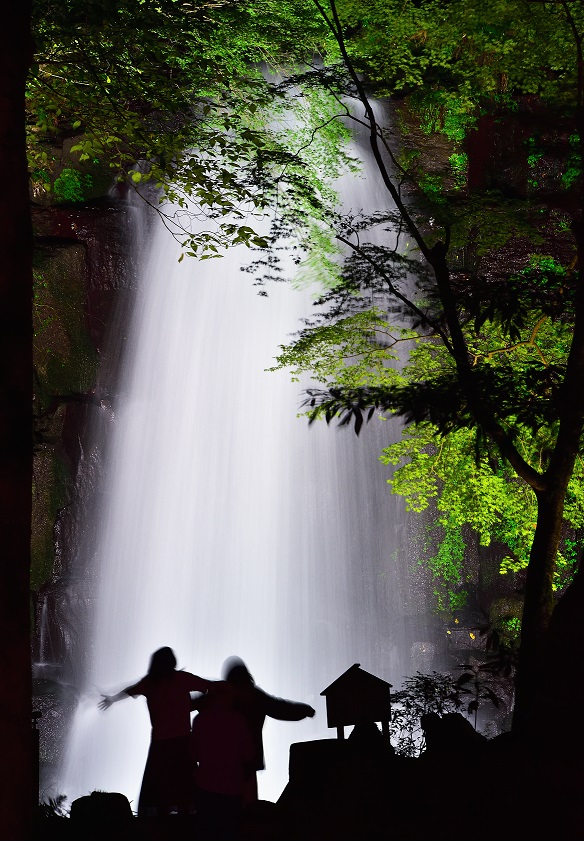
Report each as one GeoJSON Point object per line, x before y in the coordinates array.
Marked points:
{"type": "Point", "coordinates": [167, 781]}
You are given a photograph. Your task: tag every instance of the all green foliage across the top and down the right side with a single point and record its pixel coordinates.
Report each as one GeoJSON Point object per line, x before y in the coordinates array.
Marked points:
{"type": "Point", "coordinates": [182, 107]}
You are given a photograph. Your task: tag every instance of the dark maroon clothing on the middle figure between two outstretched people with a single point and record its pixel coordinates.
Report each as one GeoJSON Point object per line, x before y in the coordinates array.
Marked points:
{"type": "Point", "coordinates": [223, 748]}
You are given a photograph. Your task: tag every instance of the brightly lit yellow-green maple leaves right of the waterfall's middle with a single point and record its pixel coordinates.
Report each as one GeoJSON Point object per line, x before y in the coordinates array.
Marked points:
{"type": "Point", "coordinates": [472, 494]}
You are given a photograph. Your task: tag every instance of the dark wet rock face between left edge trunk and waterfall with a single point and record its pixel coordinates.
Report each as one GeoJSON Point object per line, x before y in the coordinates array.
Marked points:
{"type": "Point", "coordinates": [83, 270]}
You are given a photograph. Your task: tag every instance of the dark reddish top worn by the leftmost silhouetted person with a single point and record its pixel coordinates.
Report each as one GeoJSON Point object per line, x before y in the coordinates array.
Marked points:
{"type": "Point", "coordinates": [169, 702]}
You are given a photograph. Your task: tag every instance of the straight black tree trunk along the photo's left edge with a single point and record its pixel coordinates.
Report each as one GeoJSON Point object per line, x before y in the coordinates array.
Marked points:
{"type": "Point", "coordinates": [15, 428]}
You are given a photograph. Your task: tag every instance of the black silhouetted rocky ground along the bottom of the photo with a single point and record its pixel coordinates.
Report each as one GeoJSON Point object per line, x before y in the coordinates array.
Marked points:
{"type": "Point", "coordinates": [465, 788]}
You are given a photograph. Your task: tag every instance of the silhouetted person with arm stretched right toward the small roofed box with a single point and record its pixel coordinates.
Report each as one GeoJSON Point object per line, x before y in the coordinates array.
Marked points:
{"type": "Point", "coordinates": [255, 705]}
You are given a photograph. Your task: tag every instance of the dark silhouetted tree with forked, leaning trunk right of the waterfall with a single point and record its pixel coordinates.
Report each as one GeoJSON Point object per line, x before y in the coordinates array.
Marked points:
{"type": "Point", "coordinates": [497, 403]}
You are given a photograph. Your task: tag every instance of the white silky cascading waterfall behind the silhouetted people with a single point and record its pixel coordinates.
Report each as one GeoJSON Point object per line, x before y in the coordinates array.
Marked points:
{"type": "Point", "coordinates": [229, 527]}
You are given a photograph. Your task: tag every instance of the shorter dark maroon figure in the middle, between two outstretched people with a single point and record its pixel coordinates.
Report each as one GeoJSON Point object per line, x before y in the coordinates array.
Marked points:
{"type": "Point", "coordinates": [223, 749]}
